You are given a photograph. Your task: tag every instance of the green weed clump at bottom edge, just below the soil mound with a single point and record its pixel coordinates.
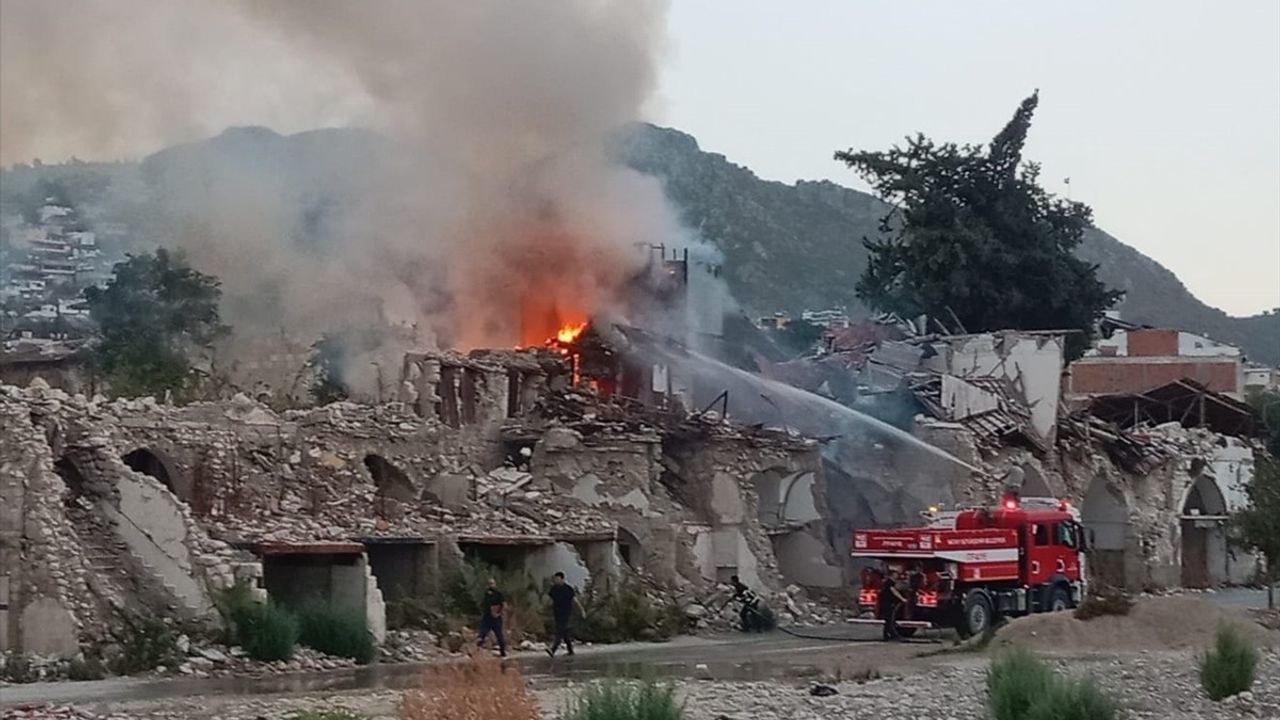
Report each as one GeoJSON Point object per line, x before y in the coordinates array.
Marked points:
{"type": "Point", "coordinates": [1023, 687]}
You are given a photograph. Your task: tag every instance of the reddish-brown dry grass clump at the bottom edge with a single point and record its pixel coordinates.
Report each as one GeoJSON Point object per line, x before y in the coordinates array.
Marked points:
{"type": "Point", "coordinates": [477, 690]}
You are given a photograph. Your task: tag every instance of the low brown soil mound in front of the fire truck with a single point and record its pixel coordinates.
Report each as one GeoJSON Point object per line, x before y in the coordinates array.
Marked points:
{"type": "Point", "coordinates": [1155, 623]}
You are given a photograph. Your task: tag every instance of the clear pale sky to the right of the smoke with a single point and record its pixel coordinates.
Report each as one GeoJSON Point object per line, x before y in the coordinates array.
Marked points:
{"type": "Point", "coordinates": [1165, 116]}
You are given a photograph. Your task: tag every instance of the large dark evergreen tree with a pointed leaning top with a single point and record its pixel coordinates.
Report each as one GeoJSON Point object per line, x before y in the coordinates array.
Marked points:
{"type": "Point", "coordinates": [972, 236]}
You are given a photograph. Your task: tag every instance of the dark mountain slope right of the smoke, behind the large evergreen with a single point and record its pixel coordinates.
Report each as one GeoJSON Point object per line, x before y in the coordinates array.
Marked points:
{"type": "Point", "coordinates": [799, 247]}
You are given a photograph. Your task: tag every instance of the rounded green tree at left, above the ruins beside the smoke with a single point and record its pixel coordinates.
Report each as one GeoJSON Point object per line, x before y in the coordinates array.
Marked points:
{"type": "Point", "coordinates": [152, 316]}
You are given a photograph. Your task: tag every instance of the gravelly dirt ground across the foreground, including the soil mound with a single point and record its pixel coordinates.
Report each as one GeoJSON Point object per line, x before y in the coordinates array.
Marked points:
{"type": "Point", "coordinates": [1146, 660]}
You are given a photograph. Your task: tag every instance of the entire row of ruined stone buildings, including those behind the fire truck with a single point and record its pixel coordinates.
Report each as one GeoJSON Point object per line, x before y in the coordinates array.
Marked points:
{"type": "Point", "coordinates": [596, 454]}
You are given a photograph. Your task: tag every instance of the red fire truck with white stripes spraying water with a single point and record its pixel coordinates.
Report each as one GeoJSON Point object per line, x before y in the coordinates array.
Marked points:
{"type": "Point", "coordinates": [967, 569]}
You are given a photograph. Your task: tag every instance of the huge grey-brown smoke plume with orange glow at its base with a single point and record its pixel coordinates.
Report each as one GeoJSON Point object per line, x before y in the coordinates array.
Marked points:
{"type": "Point", "coordinates": [490, 215]}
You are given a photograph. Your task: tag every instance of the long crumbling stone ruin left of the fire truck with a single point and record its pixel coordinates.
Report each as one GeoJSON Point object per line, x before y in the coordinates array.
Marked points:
{"type": "Point", "coordinates": [126, 507]}
